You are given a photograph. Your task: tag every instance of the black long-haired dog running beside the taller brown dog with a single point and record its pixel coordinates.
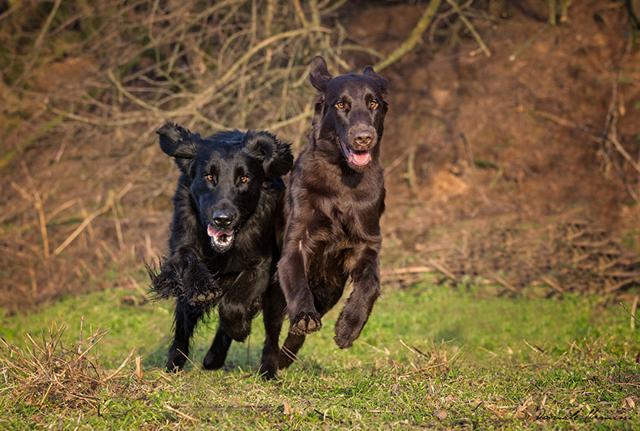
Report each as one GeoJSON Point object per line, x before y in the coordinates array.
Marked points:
{"type": "Point", "coordinates": [222, 246]}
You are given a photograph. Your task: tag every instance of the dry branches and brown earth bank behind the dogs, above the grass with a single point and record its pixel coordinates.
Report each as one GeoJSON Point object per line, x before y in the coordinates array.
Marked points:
{"type": "Point", "coordinates": [86, 195]}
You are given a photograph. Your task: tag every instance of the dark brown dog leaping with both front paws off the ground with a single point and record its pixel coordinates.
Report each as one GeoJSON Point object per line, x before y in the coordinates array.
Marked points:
{"type": "Point", "coordinates": [333, 204]}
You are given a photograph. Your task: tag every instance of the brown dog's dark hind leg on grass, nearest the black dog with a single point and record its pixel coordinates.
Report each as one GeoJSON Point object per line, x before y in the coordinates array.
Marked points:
{"type": "Point", "coordinates": [274, 308]}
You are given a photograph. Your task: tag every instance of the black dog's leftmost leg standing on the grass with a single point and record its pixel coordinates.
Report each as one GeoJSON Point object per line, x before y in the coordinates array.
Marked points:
{"type": "Point", "coordinates": [186, 319]}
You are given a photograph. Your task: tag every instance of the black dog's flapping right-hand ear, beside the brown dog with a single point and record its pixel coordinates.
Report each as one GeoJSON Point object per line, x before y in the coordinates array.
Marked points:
{"type": "Point", "coordinates": [276, 155]}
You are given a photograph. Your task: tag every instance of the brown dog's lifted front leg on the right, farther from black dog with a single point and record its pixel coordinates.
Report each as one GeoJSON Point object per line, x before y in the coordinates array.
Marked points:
{"type": "Point", "coordinates": [366, 289]}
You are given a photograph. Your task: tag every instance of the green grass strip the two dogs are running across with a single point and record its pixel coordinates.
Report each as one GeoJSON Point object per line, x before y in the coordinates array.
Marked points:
{"type": "Point", "coordinates": [430, 356]}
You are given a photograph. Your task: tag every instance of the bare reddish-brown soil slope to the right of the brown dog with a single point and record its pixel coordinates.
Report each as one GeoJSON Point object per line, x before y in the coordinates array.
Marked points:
{"type": "Point", "coordinates": [473, 141]}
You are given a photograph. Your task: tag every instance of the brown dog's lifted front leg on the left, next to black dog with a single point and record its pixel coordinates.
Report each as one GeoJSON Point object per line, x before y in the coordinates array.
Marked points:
{"type": "Point", "coordinates": [302, 312]}
